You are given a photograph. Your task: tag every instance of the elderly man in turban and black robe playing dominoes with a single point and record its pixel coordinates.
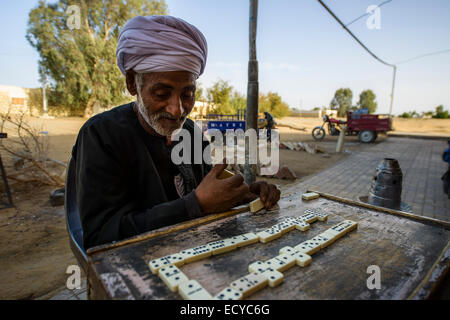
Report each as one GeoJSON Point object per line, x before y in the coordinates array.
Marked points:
{"type": "Point", "coordinates": [126, 181]}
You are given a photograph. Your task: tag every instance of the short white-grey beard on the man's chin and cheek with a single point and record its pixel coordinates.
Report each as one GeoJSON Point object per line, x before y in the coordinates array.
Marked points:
{"type": "Point", "coordinates": [152, 119]}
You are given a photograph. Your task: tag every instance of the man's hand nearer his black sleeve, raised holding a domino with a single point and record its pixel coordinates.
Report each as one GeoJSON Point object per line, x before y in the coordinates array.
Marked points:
{"type": "Point", "coordinates": [217, 195]}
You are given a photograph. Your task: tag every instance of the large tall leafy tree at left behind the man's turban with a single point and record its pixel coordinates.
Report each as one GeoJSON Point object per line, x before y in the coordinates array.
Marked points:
{"type": "Point", "coordinates": [77, 48]}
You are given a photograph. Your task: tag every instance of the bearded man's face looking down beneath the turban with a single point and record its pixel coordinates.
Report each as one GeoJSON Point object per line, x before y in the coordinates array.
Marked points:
{"type": "Point", "coordinates": [165, 99]}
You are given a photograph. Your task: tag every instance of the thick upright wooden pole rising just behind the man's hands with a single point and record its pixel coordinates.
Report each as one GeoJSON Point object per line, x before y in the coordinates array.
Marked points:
{"type": "Point", "coordinates": [251, 121]}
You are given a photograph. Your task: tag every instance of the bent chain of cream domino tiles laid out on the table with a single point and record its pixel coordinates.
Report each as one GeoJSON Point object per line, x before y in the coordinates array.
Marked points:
{"type": "Point", "coordinates": [262, 273]}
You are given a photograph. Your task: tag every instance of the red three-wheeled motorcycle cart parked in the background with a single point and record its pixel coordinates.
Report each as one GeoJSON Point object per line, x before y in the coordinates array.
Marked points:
{"type": "Point", "coordinates": [366, 126]}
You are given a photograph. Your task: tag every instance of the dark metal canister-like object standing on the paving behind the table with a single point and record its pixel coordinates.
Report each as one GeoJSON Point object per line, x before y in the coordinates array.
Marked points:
{"type": "Point", "coordinates": [386, 187]}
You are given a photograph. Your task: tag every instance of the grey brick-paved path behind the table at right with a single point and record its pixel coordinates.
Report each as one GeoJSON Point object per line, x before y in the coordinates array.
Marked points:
{"type": "Point", "coordinates": [421, 164]}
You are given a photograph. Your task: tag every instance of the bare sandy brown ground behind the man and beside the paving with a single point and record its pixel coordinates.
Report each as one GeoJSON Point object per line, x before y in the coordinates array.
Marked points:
{"type": "Point", "coordinates": [34, 247]}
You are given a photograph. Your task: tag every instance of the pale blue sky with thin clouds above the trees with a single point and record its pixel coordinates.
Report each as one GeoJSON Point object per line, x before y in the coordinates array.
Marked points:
{"type": "Point", "coordinates": [303, 53]}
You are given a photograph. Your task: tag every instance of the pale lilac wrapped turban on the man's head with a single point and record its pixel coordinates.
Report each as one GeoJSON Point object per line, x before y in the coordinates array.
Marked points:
{"type": "Point", "coordinates": [160, 44]}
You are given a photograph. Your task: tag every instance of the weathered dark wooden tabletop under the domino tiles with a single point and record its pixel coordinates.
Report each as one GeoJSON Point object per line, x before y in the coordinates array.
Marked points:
{"type": "Point", "coordinates": [405, 250]}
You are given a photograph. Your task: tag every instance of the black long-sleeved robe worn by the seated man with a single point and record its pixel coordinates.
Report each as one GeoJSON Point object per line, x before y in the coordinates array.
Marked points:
{"type": "Point", "coordinates": [125, 178]}
